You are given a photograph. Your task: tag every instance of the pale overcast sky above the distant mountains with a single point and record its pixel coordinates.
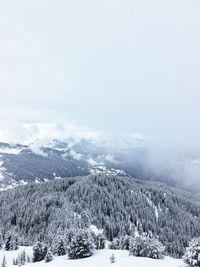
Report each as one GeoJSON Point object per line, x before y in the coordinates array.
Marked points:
{"type": "Point", "coordinates": [85, 67]}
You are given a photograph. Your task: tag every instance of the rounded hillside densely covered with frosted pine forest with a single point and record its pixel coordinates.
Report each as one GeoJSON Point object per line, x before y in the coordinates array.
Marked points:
{"type": "Point", "coordinates": [118, 205]}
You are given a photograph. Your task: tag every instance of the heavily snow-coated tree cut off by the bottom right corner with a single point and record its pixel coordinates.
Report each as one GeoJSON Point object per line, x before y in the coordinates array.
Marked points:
{"type": "Point", "coordinates": [192, 254]}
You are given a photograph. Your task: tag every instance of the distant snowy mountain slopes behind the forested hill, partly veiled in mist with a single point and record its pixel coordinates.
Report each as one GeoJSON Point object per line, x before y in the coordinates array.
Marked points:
{"type": "Point", "coordinates": [47, 159]}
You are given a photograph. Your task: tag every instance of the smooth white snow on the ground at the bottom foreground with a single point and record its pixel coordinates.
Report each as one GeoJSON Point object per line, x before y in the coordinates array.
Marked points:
{"type": "Point", "coordinates": [99, 259]}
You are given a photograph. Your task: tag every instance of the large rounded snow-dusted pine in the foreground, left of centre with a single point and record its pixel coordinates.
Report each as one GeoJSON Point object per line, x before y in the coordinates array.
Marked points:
{"type": "Point", "coordinates": [81, 246]}
